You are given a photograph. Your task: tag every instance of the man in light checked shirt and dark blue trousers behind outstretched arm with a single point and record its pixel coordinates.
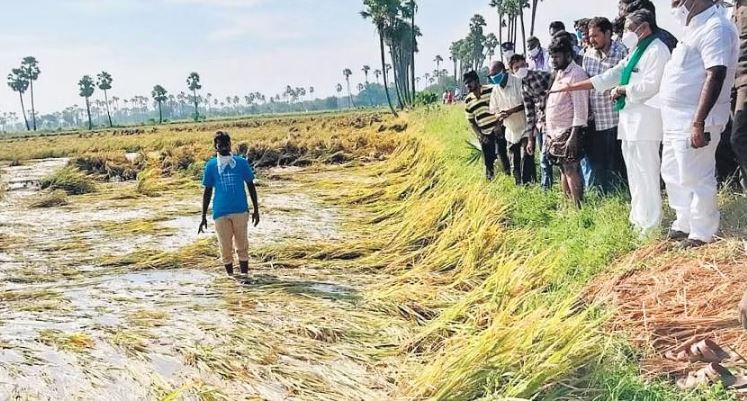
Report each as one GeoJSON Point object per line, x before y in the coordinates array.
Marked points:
{"type": "Point", "coordinates": [603, 167]}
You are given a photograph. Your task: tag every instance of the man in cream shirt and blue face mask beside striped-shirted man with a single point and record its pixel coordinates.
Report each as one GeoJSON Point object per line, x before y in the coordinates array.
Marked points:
{"type": "Point", "coordinates": [507, 104]}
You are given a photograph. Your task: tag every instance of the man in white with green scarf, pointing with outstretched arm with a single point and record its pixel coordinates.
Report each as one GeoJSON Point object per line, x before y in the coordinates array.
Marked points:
{"type": "Point", "coordinates": [635, 83]}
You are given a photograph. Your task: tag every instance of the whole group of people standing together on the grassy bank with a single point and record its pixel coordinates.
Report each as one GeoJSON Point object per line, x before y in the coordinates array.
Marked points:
{"type": "Point", "coordinates": [623, 103]}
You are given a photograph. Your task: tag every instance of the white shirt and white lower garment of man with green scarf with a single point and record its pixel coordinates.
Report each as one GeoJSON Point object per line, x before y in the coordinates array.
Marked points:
{"type": "Point", "coordinates": [640, 130]}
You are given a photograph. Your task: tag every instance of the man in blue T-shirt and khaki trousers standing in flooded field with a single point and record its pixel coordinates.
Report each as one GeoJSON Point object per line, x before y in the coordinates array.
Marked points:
{"type": "Point", "coordinates": [227, 174]}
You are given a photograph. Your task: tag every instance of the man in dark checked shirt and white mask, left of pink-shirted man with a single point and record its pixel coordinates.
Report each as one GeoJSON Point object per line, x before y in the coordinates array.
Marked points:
{"type": "Point", "coordinates": [535, 85]}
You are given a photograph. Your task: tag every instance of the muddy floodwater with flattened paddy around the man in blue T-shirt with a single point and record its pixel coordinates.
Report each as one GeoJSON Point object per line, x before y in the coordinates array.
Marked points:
{"type": "Point", "coordinates": [71, 329]}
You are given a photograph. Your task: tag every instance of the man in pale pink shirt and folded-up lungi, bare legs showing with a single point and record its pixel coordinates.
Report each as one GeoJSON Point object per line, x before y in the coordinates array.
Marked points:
{"type": "Point", "coordinates": [567, 115]}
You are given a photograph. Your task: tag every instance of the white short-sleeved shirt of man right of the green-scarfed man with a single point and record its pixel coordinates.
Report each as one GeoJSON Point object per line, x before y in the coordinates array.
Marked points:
{"type": "Point", "coordinates": [709, 40]}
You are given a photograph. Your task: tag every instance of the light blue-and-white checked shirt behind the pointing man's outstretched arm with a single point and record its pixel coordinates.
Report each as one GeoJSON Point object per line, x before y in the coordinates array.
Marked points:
{"type": "Point", "coordinates": [596, 63]}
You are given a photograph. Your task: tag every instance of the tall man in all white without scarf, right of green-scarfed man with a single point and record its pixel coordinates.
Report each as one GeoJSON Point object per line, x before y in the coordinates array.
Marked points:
{"type": "Point", "coordinates": [695, 100]}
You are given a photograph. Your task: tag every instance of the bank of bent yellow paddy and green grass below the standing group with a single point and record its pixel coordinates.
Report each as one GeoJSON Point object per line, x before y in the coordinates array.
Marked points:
{"type": "Point", "coordinates": [492, 275]}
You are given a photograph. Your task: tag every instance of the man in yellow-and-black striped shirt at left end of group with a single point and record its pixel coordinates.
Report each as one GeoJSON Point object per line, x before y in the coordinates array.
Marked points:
{"type": "Point", "coordinates": [485, 124]}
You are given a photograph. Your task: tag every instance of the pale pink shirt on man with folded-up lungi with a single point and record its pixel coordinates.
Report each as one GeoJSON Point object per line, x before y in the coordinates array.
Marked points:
{"type": "Point", "coordinates": [566, 110]}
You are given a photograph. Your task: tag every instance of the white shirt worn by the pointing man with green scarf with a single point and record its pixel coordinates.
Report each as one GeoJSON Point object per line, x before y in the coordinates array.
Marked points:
{"type": "Point", "coordinates": [639, 119]}
